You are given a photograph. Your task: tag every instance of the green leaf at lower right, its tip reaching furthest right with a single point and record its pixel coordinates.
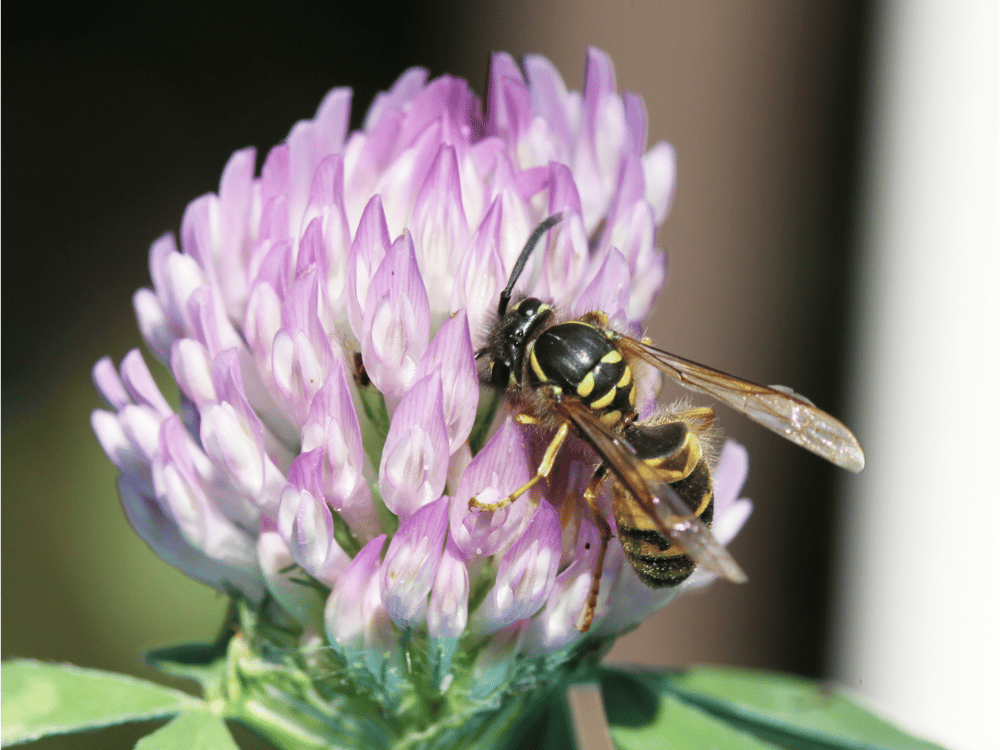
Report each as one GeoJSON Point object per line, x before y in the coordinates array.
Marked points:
{"type": "Point", "coordinates": [789, 711]}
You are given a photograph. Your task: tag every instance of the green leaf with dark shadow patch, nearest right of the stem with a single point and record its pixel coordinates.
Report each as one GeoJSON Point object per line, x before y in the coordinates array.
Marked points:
{"type": "Point", "coordinates": [642, 716]}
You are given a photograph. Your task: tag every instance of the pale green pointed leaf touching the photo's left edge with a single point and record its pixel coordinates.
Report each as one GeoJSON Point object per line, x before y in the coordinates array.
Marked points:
{"type": "Point", "coordinates": [40, 699]}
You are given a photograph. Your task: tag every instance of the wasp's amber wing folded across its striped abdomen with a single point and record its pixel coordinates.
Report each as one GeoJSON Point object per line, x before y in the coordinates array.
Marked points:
{"type": "Point", "coordinates": [657, 498]}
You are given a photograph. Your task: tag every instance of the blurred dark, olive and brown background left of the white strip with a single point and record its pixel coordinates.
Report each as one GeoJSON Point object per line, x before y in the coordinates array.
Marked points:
{"type": "Point", "coordinates": [116, 117]}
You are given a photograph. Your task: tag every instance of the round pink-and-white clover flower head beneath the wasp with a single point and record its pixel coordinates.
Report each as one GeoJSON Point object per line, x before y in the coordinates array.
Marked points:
{"type": "Point", "coordinates": [321, 320]}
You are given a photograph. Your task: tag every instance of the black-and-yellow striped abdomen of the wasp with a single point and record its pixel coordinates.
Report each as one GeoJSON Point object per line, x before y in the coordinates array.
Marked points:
{"type": "Point", "coordinates": [674, 450]}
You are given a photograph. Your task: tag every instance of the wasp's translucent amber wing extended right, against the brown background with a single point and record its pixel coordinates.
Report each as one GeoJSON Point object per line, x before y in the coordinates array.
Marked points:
{"type": "Point", "coordinates": [778, 408]}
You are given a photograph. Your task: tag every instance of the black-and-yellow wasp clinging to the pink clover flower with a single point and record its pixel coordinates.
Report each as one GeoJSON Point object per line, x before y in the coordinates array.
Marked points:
{"type": "Point", "coordinates": [578, 377]}
